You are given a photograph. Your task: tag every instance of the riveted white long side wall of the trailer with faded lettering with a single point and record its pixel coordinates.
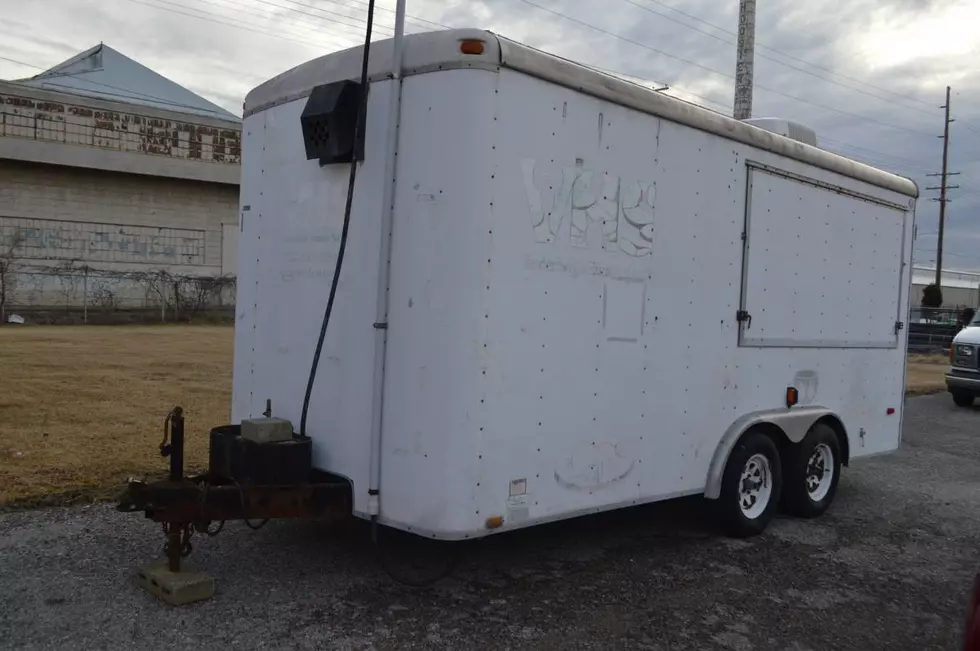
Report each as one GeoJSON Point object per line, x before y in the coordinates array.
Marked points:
{"type": "Point", "coordinates": [566, 274]}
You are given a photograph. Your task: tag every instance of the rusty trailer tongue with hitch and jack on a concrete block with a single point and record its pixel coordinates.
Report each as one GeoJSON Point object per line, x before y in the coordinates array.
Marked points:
{"type": "Point", "coordinates": [185, 505]}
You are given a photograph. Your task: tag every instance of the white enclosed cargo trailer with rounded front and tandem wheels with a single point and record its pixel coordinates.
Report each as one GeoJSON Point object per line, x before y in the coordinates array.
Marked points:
{"type": "Point", "coordinates": [583, 295]}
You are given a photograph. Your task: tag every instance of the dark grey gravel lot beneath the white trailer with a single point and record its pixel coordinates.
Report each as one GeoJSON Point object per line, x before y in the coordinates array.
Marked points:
{"type": "Point", "coordinates": [888, 567]}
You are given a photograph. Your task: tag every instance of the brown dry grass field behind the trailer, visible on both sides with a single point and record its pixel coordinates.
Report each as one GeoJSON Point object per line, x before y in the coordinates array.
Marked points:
{"type": "Point", "coordinates": [82, 408]}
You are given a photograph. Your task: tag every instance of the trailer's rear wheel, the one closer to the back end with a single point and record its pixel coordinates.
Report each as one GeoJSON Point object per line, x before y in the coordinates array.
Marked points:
{"type": "Point", "coordinates": [802, 465]}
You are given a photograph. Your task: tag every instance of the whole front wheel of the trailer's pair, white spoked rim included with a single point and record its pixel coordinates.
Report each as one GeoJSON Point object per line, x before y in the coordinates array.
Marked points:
{"type": "Point", "coordinates": [751, 485]}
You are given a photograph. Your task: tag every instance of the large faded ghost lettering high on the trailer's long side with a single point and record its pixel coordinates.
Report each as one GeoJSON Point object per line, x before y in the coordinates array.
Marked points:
{"type": "Point", "coordinates": [587, 200]}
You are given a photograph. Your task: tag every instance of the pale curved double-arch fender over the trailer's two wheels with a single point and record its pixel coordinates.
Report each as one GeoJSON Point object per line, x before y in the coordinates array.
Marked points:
{"type": "Point", "coordinates": [793, 423]}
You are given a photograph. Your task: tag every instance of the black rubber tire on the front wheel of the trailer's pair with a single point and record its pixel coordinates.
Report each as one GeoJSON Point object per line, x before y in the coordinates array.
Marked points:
{"type": "Point", "coordinates": [735, 520]}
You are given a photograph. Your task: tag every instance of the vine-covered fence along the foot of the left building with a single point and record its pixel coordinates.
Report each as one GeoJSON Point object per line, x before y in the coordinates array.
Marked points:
{"type": "Point", "coordinates": [73, 293]}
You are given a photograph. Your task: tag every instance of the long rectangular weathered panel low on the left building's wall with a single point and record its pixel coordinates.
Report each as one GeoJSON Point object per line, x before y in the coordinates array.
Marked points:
{"type": "Point", "coordinates": [93, 242]}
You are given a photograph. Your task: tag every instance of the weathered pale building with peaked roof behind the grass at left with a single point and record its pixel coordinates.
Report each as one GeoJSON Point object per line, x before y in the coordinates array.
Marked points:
{"type": "Point", "coordinates": [118, 187]}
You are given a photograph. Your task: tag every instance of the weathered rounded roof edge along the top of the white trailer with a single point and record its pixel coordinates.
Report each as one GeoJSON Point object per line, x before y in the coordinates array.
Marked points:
{"type": "Point", "coordinates": [439, 50]}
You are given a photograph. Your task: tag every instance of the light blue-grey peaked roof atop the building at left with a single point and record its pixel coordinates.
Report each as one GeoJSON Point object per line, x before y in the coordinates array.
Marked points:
{"type": "Point", "coordinates": [105, 73]}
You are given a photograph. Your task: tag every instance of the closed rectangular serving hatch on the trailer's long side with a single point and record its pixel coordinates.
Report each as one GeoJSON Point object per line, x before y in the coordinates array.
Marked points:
{"type": "Point", "coordinates": [822, 265]}
